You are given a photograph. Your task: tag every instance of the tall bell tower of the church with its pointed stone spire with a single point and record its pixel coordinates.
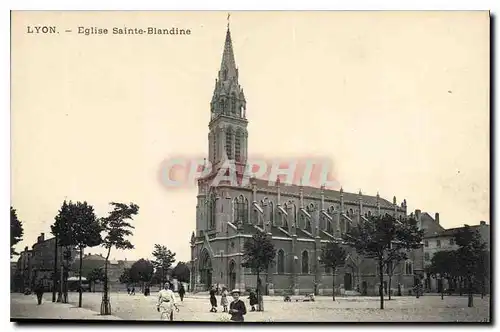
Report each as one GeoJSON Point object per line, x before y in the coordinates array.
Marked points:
{"type": "Point", "coordinates": [228, 135]}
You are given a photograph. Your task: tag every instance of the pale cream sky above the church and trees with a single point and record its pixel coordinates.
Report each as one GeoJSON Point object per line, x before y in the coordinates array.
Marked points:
{"type": "Point", "coordinates": [398, 101]}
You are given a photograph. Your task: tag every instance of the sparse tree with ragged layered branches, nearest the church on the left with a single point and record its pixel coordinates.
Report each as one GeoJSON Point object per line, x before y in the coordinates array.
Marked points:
{"type": "Point", "coordinates": [116, 228]}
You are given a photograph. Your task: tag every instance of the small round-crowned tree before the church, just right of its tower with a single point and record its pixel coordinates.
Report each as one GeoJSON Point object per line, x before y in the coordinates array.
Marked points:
{"type": "Point", "coordinates": [259, 254]}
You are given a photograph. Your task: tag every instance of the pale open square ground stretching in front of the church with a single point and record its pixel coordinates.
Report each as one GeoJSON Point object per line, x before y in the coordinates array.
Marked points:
{"type": "Point", "coordinates": [324, 309]}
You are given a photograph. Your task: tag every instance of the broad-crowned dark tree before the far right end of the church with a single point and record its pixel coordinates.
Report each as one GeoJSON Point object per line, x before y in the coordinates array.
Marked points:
{"type": "Point", "coordinates": [384, 239]}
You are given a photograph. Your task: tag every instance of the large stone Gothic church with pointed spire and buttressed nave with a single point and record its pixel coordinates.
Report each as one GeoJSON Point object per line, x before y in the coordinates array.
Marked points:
{"type": "Point", "coordinates": [299, 219]}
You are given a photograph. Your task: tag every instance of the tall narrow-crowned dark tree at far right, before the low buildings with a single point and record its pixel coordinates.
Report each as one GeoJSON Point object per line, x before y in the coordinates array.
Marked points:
{"type": "Point", "coordinates": [470, 253]}
